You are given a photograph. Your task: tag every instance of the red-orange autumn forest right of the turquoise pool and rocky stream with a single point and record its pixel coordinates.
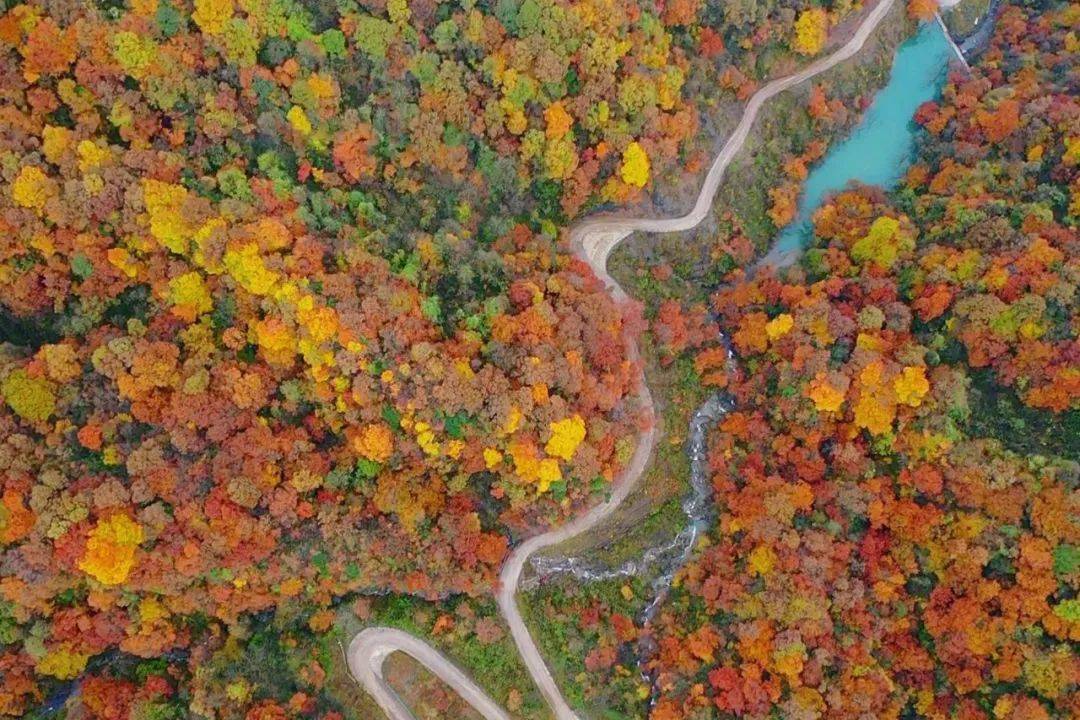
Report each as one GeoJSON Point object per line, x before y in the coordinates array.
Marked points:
{"type": "Point", "coordinates": [880, 551]}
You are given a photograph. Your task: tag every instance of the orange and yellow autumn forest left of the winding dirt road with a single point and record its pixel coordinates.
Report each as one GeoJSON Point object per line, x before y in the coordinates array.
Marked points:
{"type": "Point", "coordinates": [285, 317]}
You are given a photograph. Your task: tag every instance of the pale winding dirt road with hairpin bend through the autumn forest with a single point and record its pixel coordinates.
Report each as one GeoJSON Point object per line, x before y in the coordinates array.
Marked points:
{"type": "Point", "coordinates": [593, 242]}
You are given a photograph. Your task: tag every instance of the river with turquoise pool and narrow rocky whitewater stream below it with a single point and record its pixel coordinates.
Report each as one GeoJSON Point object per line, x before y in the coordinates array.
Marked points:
{"type": "Point", "coordinates": [877, 153]}
